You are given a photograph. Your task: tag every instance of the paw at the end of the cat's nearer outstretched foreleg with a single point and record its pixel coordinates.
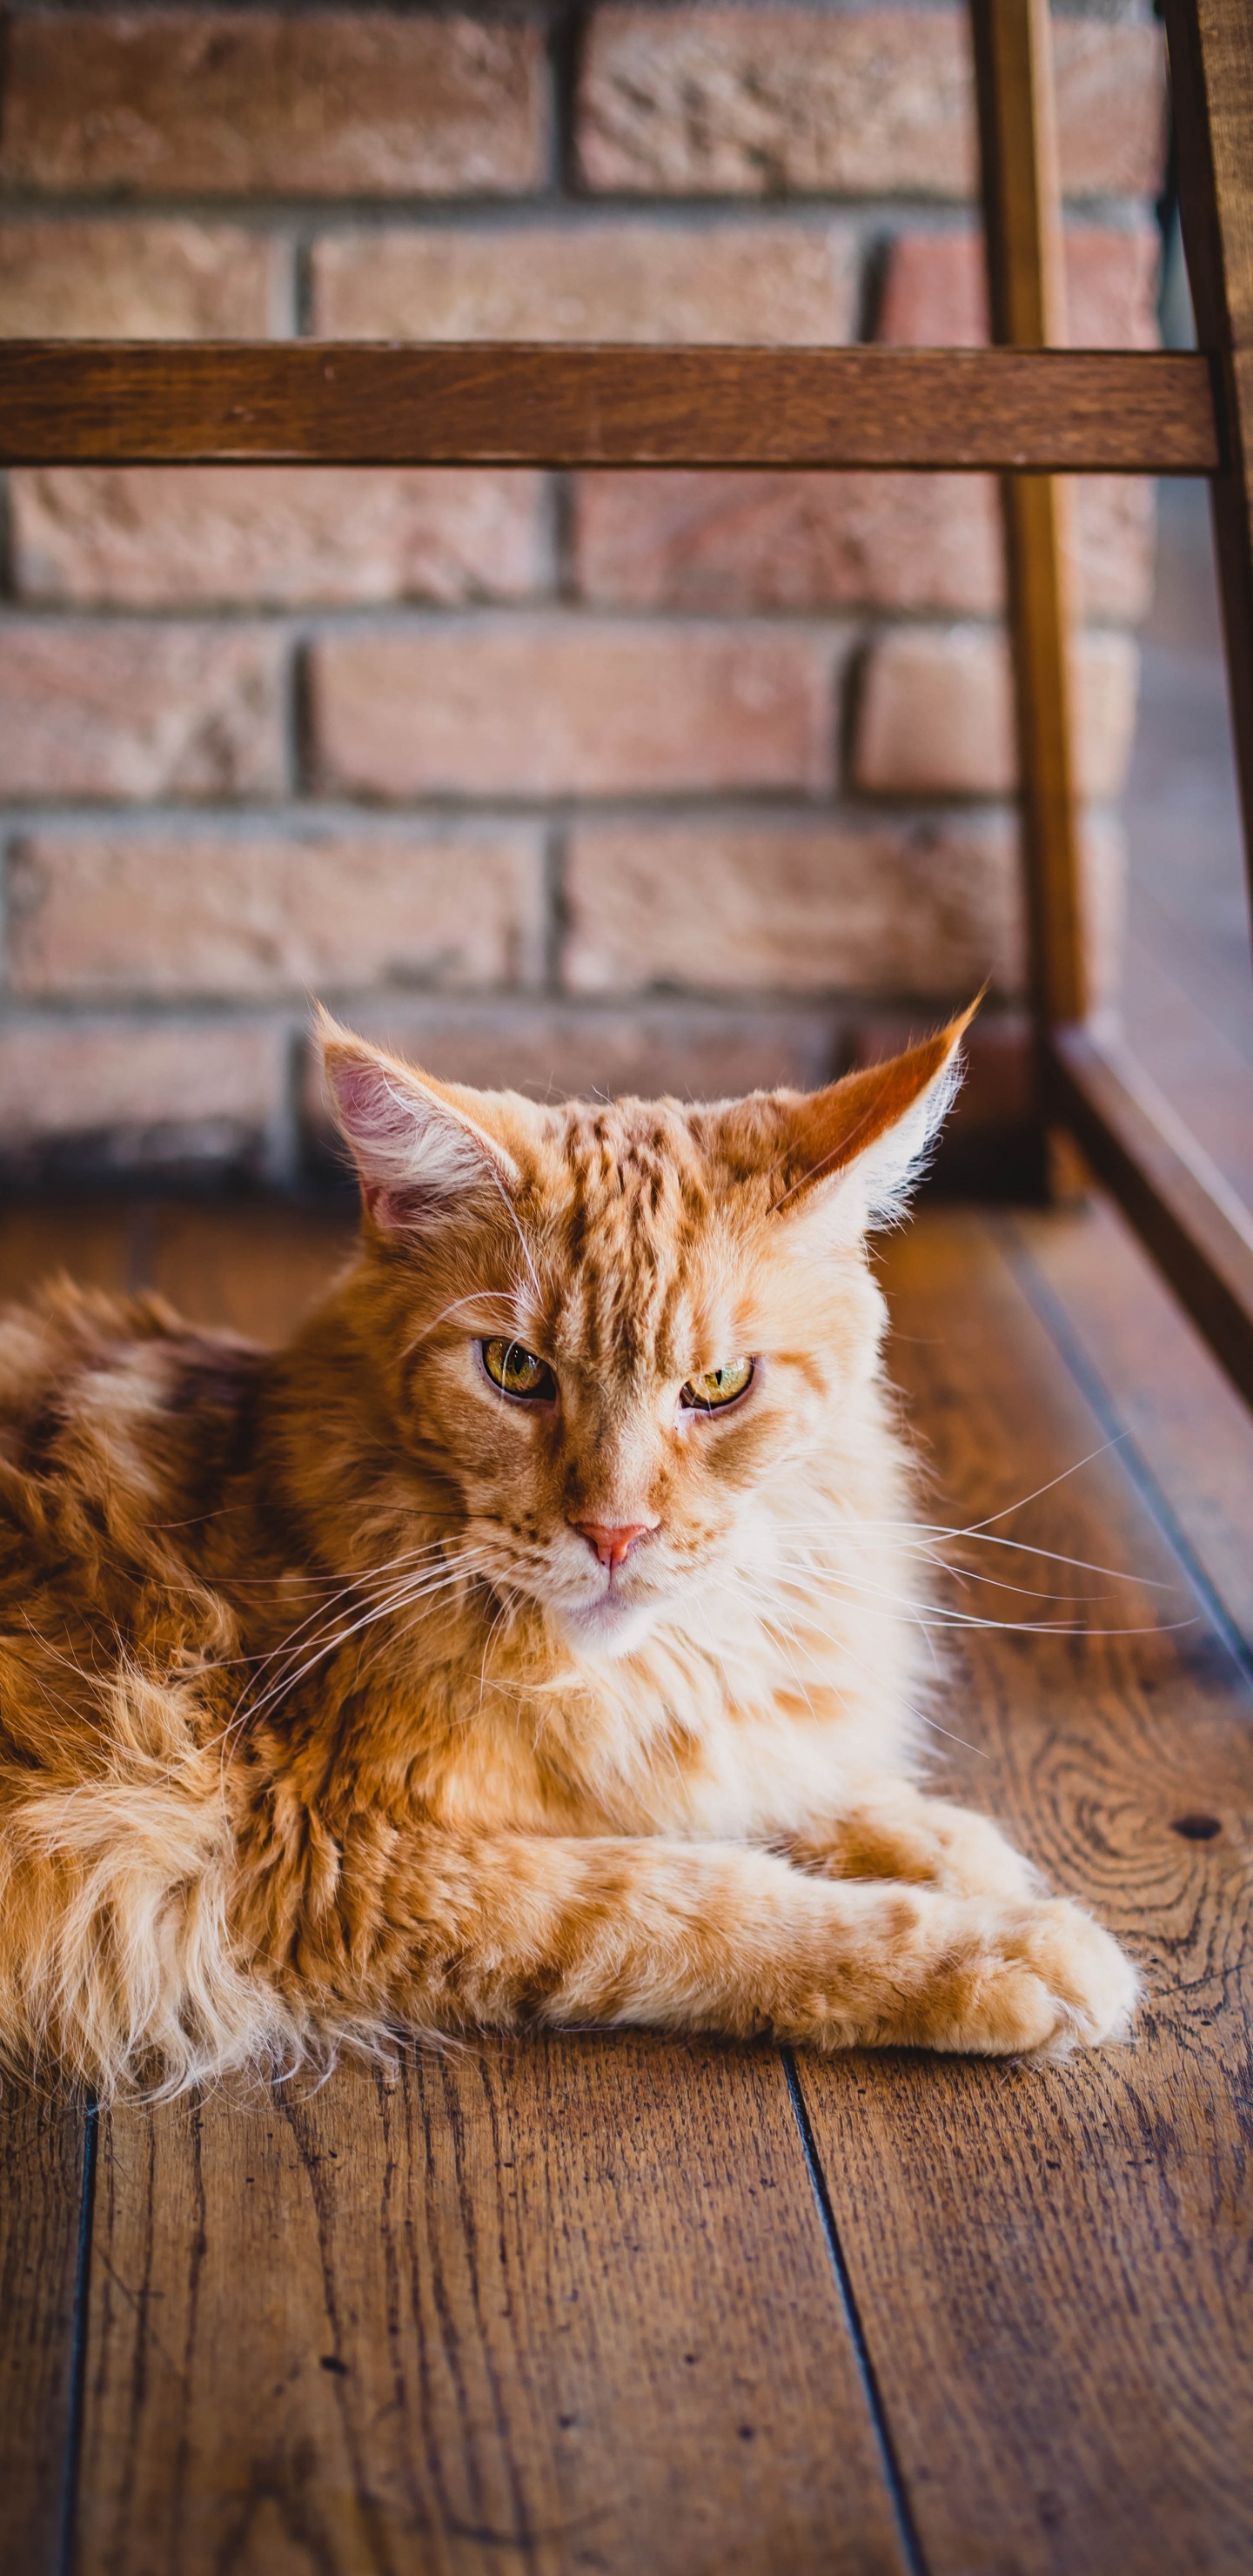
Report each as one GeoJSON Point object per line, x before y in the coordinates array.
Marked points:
{"type": "Point", "coordinates": [1035, 1982]}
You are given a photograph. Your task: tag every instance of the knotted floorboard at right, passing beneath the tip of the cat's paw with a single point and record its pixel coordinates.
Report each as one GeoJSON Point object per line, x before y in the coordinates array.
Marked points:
{"type": "Point", "coordinates": [1053, 2268]}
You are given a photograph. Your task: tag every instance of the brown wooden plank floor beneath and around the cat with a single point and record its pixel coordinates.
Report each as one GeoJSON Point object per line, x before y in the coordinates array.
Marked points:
{"type": "Point", "coordinates": [682, 2309]}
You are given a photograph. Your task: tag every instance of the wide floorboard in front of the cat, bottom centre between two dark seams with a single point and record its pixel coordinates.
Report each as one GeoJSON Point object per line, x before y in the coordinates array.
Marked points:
{"type": "Point", "coordinates": [553, 2307]}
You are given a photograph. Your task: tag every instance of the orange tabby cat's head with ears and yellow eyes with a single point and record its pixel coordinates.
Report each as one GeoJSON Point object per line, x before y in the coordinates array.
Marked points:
{"type": "Point", "coordinates": [605, 1333]}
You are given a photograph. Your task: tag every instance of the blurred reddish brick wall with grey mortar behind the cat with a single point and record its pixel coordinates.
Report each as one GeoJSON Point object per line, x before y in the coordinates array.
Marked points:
{"type": "Point", "coordinates": [630, 779]}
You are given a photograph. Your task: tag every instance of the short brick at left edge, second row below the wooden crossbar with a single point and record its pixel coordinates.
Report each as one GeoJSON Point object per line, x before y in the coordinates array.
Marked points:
{"type": "Point", "coordinates": [141, 710]}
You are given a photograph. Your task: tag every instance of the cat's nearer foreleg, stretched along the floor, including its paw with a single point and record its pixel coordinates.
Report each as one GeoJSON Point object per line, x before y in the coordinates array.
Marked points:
{"type": "Point", "coordinates": [723, 1938]}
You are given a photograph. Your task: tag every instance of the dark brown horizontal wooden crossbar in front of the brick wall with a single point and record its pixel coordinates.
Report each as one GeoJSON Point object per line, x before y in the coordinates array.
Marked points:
{"type": "Point", "coordinates": [360, 403]}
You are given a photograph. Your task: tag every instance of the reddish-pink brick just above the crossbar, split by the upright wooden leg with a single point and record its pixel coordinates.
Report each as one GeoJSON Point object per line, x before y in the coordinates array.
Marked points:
{"type": "Point", "coordinates": [937, 290]}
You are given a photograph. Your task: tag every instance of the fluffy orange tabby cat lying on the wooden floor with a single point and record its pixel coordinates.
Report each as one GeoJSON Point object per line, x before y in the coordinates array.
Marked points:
{"type": "Point", "coordinates": [527, 1642]}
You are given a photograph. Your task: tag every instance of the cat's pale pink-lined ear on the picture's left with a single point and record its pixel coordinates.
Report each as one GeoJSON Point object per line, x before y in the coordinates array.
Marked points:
{"type": "Point", "coordinates": [416, 1150]}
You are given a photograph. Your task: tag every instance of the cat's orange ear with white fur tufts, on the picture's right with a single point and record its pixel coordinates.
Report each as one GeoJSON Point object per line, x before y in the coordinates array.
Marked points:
{"type": "Point", "coordinates": [857, 1148]}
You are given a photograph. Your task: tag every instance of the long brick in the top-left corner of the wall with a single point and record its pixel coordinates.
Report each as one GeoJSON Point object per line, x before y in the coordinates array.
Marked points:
{"type": "Point", "coordinates": [246, 102]}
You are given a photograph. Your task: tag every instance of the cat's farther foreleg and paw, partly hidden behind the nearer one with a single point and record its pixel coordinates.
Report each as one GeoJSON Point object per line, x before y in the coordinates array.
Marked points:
{"type": "Point", "coordinates": [891, 1830]}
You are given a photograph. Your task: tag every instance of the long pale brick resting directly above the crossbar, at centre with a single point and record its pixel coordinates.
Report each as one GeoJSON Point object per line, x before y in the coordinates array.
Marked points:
{"type": "Point", "coordinates": [767, 282]}
